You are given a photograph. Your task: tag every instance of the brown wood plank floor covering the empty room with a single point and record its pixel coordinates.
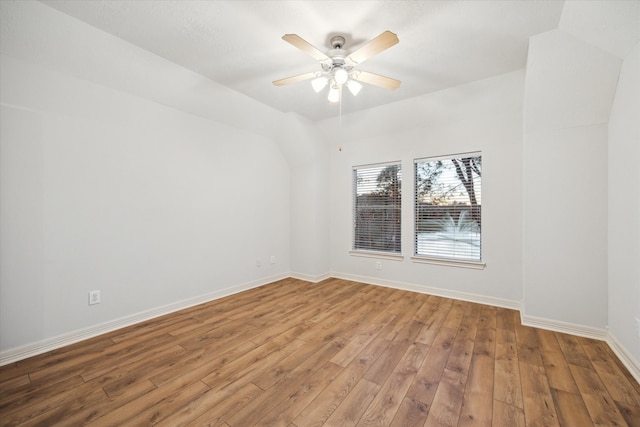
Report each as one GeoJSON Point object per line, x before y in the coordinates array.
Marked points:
{"type": "Point", "coordinates": [336, 353]}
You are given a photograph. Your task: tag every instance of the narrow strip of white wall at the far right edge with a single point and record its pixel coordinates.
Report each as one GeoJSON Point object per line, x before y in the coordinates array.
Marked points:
{"type": "Point", "coordinates": [624, 207]}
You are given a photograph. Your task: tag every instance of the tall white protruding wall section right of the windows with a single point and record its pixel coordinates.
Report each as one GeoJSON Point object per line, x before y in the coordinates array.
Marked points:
{"type": "Point", "coordinates": [569, 90]}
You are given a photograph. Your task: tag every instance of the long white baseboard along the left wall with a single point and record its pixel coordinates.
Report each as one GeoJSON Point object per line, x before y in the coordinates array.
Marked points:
{"type": "Point", "coordinates": [23, 352]}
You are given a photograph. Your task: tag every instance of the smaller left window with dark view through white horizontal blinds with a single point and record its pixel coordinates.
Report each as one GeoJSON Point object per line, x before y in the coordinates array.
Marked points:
{"type": "Point", "coordinates": [376, 208]}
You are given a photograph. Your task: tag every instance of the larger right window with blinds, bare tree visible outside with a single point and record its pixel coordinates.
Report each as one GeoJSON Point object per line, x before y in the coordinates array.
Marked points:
{"type": "Point", "coordinates": [448, 199]}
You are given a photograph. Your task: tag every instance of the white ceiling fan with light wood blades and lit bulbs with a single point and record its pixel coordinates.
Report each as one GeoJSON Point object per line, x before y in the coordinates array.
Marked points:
{"type": "Point", "coordinates": [338, 67]}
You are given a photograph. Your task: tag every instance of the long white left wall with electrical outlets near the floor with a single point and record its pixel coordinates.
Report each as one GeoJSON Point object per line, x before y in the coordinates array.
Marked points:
{"type": "Point", "coordinates": [105, 190]}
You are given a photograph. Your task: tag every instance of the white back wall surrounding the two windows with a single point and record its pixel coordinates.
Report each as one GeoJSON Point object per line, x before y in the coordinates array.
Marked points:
{"type": "Point", "coordinates": [483, 116]}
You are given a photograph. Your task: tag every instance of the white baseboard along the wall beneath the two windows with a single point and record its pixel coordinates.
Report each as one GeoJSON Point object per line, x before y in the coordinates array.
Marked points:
{"type": "Point", "coordinates": [447, 293]}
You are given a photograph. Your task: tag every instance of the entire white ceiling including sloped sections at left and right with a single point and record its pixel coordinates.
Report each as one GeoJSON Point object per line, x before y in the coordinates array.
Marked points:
{"type": "Point", "coordinates": [237, 44]}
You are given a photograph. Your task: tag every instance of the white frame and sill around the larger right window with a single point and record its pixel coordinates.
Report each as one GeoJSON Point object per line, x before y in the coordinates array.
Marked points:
{"type": "Point", "coordinates": [455, 261]}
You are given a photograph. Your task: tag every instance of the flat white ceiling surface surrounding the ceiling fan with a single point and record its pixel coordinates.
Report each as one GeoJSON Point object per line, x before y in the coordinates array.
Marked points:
{"type": "Point", "coordinates": [238, 43]}
